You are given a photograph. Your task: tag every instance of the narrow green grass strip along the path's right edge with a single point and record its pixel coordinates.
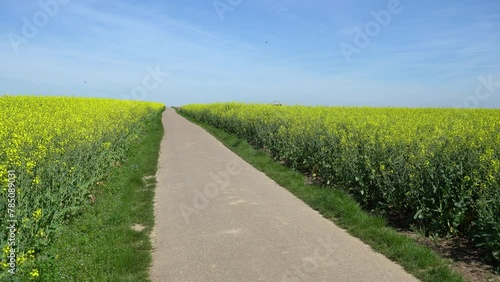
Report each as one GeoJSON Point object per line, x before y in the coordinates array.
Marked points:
{"type": "Point", "coordinates": [342, 209]}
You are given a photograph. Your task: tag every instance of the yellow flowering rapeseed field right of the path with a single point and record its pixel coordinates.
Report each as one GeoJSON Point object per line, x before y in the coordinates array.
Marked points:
{"type": "Point", "coordinates": [438, 168]}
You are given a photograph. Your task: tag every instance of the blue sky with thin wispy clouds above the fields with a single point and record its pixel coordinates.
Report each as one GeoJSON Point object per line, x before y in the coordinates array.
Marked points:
{"type": "Point", "coordinates": [325, 52]}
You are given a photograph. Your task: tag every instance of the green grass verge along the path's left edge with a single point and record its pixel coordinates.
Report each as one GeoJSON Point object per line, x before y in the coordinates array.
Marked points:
{"type": "Point", "coordinates": [102, 244]}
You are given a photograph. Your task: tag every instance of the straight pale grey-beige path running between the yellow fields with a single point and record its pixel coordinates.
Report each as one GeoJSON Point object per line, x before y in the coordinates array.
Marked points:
{"type": "Point", "coordinates": [219, 219]}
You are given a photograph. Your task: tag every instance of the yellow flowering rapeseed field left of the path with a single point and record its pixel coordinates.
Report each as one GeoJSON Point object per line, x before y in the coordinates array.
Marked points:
{"type": "Point", "coordinates": [53, 150]}
